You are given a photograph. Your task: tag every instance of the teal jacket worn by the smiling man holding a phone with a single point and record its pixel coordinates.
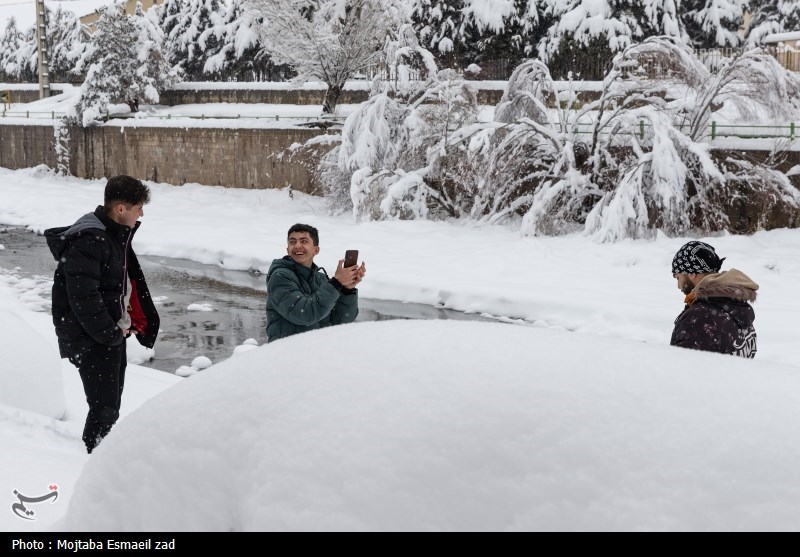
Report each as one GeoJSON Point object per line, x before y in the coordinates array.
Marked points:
{"type": "Point", "coordinates": [301, 299]}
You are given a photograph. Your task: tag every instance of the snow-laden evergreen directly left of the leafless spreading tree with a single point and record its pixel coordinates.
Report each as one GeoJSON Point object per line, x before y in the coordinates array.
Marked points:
{"type": "Point", "coordinates": [240, 56]}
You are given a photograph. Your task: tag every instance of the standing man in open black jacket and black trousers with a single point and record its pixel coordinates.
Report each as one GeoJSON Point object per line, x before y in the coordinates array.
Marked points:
{"type": "Point", "coordinates": [100, 298]}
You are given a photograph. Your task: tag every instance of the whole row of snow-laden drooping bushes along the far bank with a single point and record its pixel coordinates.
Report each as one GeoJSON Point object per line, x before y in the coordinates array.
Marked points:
{"type": "Point", "coordinates": [632, 162]}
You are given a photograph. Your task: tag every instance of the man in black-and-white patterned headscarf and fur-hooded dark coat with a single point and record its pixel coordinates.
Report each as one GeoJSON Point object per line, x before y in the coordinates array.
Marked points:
{"type": "Point", "coordinates": [718, 316]}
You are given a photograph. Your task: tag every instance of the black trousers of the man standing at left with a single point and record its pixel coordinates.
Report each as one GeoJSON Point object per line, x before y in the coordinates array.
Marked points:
{"type": "Point", "coordinates": [102, 370]}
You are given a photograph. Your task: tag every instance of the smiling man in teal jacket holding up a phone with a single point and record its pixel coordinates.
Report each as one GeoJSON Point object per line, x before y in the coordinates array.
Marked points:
{"type": "Point", "coordinates": [300, 296]}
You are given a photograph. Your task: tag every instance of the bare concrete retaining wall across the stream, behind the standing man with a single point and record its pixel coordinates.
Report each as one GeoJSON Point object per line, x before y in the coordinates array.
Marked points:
{"type": "Point", "coordinates": [237, 158]}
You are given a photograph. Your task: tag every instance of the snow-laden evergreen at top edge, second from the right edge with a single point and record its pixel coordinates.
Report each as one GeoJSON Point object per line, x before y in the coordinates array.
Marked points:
{"type": "Point", "coordinates": [714, 23]}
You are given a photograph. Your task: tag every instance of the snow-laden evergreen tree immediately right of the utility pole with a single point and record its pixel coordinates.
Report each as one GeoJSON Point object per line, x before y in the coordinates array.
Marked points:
{"type": "Point", "coordinates": [67, 42]}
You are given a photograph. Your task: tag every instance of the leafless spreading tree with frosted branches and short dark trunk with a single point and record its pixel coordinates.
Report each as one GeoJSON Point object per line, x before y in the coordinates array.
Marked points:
{"type": "Point", "coordinates": [327, 40]}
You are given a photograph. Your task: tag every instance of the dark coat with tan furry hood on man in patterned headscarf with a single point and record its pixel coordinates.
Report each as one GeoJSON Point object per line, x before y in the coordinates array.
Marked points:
{"type": "Point", "coordinates": [718, 317]}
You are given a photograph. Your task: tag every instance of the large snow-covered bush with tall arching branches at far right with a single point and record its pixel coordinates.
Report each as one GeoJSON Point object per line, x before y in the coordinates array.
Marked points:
{"type": "Point", "coordinates": [669, 180]}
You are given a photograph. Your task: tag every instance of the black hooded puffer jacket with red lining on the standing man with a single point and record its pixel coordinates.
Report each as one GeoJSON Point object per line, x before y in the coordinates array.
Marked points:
{"type": "Point", "coordinates": [89, 285]}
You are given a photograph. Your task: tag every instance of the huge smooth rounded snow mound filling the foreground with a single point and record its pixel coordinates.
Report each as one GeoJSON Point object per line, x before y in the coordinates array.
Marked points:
{"type": "Point", "coordinates": [449, 425]}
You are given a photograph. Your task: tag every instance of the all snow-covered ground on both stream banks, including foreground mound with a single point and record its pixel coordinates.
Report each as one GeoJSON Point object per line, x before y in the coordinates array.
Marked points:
{"type": "Point", "coordinates": [570, 413]}
